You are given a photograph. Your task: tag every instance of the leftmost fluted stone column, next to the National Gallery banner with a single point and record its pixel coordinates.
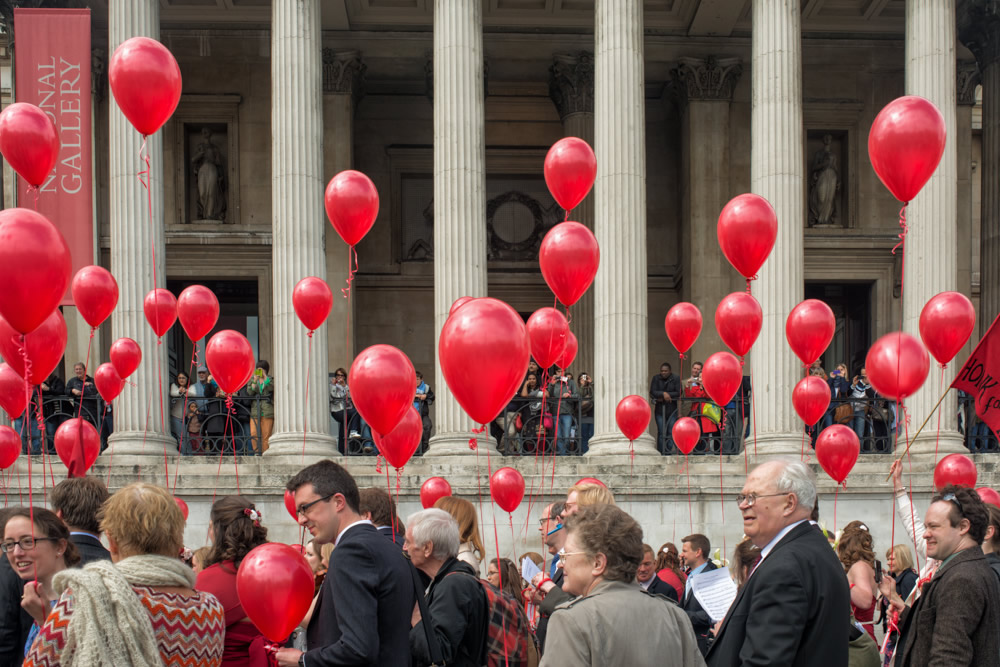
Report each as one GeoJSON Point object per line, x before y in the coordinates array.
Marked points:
{"type": "Point", "coordinates": [141, 421]}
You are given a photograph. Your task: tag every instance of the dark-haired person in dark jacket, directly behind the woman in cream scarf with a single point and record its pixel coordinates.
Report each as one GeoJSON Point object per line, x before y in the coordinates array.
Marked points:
{"type": "Point", "coordinates": [76, 501]}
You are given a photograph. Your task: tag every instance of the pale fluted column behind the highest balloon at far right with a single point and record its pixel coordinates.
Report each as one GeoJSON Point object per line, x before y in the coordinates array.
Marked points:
{"type": "Point", "coordinates": [930, 262]}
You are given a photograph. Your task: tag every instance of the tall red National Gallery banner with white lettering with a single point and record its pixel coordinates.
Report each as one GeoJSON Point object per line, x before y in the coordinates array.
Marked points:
{"type": "Point", "coordinates": [52, 71]}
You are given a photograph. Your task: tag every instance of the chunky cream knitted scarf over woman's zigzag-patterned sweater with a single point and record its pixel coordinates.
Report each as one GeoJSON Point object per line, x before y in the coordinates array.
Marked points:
{"type": "Point", "coordinates": [109, 625]}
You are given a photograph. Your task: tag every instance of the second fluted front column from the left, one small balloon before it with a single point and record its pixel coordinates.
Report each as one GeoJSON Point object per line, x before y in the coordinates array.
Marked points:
{"type": "Point", "coordinates": [299, 224]}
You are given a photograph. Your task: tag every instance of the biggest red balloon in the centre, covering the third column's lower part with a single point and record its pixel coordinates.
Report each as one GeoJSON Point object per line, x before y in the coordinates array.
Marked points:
{"type": "Point", "coordinates": [483, 351]}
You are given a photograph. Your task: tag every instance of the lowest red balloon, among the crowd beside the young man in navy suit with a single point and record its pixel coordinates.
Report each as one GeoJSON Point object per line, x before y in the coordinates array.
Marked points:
{"type": "Point", "coordinates": [275, 586]}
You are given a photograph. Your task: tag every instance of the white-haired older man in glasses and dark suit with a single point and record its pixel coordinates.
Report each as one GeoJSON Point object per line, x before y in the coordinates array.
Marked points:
{"type": "Point", "coordinates": [792, 610]}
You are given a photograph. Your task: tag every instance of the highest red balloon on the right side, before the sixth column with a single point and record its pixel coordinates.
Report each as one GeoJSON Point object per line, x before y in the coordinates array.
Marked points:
{"type": "Point", "coordinates": [905, 145]}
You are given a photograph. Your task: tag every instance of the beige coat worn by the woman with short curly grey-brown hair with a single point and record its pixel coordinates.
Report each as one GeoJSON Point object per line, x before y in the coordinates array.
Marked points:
{"type": "Point", "coordinates": [620, 624]}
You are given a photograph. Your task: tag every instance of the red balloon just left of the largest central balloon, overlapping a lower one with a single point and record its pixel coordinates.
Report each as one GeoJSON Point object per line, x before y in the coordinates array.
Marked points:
{"type": "Point", "coordinates": [382, 382]}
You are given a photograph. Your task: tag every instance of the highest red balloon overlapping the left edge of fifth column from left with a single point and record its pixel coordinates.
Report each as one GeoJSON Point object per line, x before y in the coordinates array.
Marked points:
{"type": "Point", "coordinates": [747, 229]}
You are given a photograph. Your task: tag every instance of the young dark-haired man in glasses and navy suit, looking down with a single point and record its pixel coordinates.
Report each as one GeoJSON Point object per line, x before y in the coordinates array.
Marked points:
{"type": "Point", "coordinates": [362, 615]}
